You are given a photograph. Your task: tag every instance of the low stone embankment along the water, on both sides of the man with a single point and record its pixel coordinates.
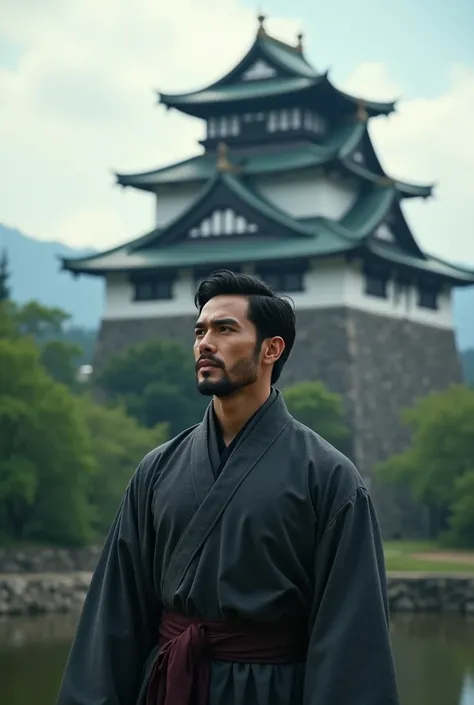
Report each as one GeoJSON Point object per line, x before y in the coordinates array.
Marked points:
{"type": "Point", "coordinates": [36, 581]}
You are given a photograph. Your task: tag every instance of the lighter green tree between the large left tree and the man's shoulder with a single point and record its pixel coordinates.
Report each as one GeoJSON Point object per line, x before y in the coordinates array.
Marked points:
{"type": "Point", "coordinates": [118, 445]}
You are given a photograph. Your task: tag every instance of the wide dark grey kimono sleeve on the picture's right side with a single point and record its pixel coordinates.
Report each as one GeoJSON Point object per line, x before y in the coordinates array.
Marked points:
{"type": "Point", "coordinates": [350, 658]}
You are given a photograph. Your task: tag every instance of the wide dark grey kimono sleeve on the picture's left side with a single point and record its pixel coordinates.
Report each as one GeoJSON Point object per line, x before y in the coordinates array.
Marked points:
{"type": "Point", "coordinates": [118, 625]}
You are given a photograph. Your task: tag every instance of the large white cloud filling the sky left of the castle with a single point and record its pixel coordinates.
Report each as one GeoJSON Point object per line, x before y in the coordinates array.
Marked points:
{"type": "Point", "coordinates": [81, 103]}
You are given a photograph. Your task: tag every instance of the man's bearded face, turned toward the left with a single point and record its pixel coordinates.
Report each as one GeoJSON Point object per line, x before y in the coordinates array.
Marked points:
{"type": "Point", "coordinates": [225, 347]}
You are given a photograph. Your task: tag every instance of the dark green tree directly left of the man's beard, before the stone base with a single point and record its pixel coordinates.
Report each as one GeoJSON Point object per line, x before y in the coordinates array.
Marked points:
{"type": "Point", "coordinates": [155, 381]}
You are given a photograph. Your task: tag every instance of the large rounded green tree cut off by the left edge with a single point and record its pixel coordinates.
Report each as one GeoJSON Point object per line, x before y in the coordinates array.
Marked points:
{"type": "Point", "coordinates": [45, 454]}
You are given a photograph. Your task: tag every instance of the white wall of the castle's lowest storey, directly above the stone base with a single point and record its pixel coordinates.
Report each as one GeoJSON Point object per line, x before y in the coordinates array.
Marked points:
{"type": "Point", "coordinates": [327, 285]}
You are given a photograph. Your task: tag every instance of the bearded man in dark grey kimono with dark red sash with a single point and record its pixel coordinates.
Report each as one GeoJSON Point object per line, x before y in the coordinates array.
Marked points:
{"type": "Point", "coordinates": [245, 564]}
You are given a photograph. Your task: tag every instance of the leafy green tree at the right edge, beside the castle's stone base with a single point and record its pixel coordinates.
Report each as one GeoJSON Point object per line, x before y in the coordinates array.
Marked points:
{"type": "Point", "coordinates": [436, 464]}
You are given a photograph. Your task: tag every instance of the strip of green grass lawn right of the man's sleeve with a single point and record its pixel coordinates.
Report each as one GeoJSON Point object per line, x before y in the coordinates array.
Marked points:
{"type": "Point", "coordinates": [425, 557]}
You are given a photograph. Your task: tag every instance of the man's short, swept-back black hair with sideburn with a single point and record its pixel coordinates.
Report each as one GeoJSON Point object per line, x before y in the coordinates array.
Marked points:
{"type": "Point", "coordinates": [272, 315]}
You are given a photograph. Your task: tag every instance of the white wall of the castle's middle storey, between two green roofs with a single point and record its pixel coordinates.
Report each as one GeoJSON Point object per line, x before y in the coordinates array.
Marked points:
{"type": "Point", "coordinates": [307, 194]}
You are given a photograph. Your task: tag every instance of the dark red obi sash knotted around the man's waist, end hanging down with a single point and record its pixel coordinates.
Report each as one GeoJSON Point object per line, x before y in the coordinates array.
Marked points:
{"type": "Point", "coordinates": [187, 647]}
